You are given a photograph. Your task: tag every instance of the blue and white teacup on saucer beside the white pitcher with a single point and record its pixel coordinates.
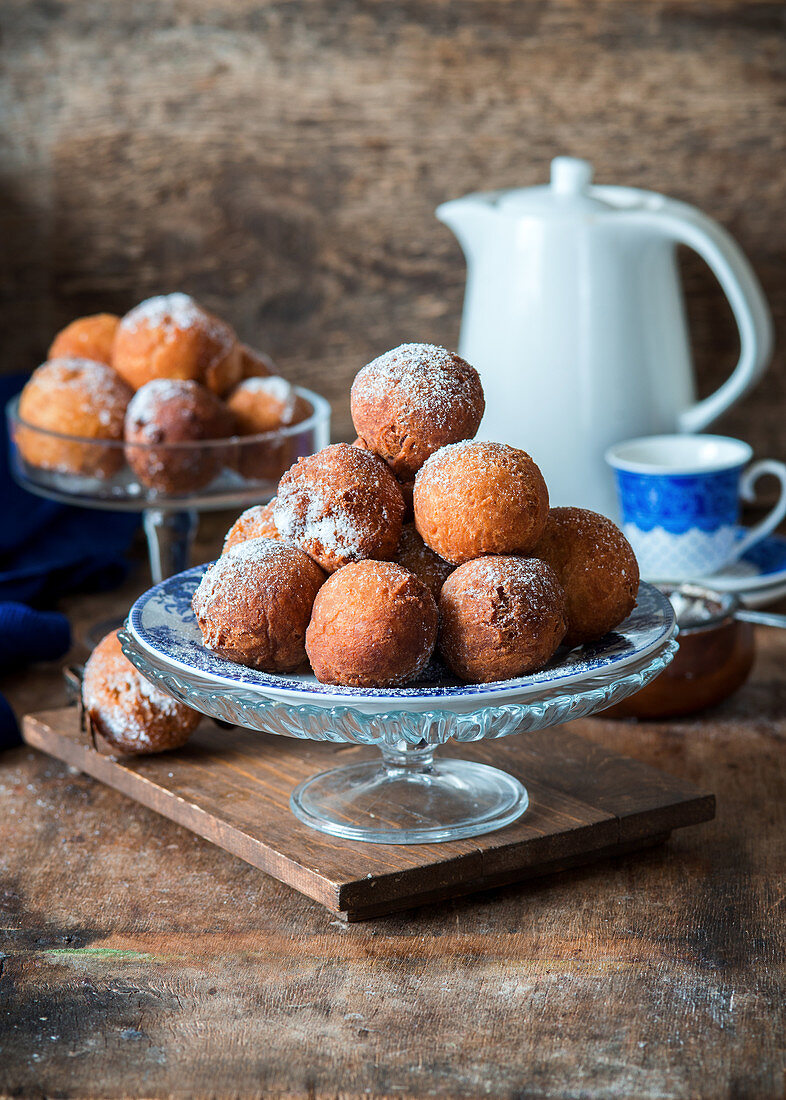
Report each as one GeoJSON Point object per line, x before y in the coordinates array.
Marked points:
{"type": "Point", "coordinates": [681, 502]}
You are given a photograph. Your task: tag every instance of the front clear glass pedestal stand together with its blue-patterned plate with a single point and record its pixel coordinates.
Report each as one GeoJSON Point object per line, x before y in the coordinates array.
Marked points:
{"type": "Point", "coordinates": [406, 797]}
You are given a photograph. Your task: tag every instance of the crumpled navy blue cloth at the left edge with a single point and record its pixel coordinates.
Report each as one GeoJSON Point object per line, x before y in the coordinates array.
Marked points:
{"type": "Point", "coordinates": [47, 551]}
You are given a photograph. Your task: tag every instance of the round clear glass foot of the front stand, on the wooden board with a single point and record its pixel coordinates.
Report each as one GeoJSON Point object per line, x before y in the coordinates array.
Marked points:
{"type": "Point", "coordinates": [409, 798]}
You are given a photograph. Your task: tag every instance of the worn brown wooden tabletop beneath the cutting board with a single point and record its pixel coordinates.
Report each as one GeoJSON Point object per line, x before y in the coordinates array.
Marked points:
{"type": "Point", "coordinates": [137, 960]}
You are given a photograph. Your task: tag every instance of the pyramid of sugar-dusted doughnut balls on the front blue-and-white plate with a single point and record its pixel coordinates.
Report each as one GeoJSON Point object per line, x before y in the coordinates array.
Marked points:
{"type": "Point", "coordinates": [413, 540]}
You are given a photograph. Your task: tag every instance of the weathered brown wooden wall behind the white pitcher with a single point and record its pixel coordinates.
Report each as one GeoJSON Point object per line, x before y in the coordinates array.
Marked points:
{"type": "Point", "coordinates": [282, 159]}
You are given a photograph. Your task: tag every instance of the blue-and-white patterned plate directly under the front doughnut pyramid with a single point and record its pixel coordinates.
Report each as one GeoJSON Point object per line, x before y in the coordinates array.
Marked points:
{"type": "Point", "coordinates": [162, 625]}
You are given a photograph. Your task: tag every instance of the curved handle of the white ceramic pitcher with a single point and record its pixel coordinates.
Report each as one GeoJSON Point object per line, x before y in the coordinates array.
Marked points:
{"type": "Point", "coordinates": [689, 226]}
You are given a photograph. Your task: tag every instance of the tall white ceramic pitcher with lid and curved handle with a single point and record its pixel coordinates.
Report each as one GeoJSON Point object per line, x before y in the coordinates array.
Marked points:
{"type": "Point", "coordinates": [574, 316]}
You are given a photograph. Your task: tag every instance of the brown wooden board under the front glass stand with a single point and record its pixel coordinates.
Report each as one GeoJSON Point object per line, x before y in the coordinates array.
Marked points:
{"type": "Point", "coordinates": [233, 787]}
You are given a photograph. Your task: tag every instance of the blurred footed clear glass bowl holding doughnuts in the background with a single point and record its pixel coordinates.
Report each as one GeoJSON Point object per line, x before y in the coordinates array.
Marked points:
{"type": "Point", "coordinates": [212, 476]}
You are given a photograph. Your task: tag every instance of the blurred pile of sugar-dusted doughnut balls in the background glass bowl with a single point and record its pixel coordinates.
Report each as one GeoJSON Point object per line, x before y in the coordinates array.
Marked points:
{"type": "Point", "coordinates": [168, 373]}
